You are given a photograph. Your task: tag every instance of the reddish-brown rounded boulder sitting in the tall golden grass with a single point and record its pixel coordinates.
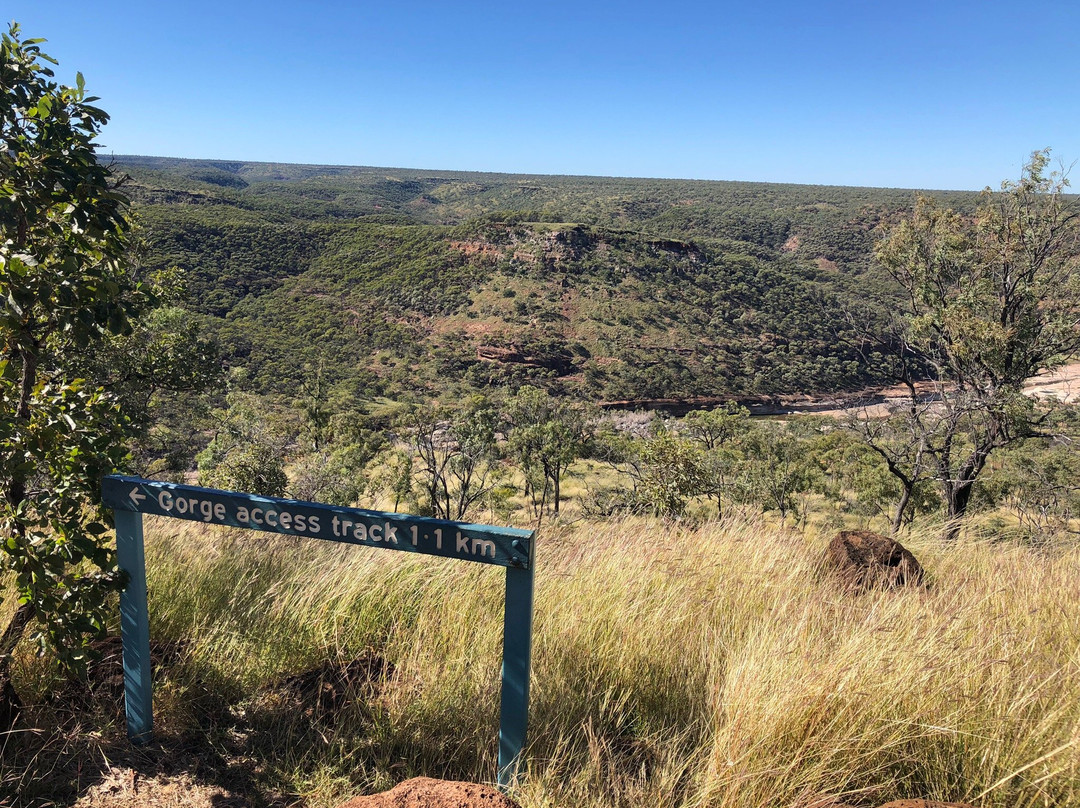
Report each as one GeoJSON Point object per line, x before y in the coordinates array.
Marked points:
{"type": "Point", "coordinates": [865, 560]}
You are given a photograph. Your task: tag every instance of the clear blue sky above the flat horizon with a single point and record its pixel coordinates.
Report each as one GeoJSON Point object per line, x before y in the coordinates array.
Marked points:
{"type": "Point", "coordinates": [920, 95]}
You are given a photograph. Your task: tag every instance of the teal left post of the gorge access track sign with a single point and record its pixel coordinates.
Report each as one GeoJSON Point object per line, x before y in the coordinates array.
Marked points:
{"type": "Point", "coordinates": [136, 628]}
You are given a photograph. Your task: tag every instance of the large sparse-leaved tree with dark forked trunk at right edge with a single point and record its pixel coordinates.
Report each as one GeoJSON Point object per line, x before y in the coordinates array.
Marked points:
{"type": "Point", "coordinates": [989, 302]}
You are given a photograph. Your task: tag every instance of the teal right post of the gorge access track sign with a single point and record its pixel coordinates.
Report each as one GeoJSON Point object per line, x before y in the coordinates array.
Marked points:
{"type": "Point", "coordinates": [517, 653]}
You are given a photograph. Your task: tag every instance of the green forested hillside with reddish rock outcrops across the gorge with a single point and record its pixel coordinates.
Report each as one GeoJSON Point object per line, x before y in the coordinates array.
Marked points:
{"type": "Point", "coordinates": [417, 285]}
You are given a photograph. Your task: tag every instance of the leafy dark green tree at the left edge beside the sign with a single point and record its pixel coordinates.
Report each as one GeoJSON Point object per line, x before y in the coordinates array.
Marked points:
{"type": "Point", "coordinates": [64, 285]}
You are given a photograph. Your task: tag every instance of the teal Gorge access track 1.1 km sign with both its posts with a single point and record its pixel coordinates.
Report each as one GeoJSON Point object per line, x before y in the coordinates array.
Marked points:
{"type": "Point", "coordinates": [506, 547]}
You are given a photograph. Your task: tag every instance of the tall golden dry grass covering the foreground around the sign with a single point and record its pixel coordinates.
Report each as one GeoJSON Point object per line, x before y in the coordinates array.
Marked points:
{"type": "Point", "coordinates": [673, 667]}
